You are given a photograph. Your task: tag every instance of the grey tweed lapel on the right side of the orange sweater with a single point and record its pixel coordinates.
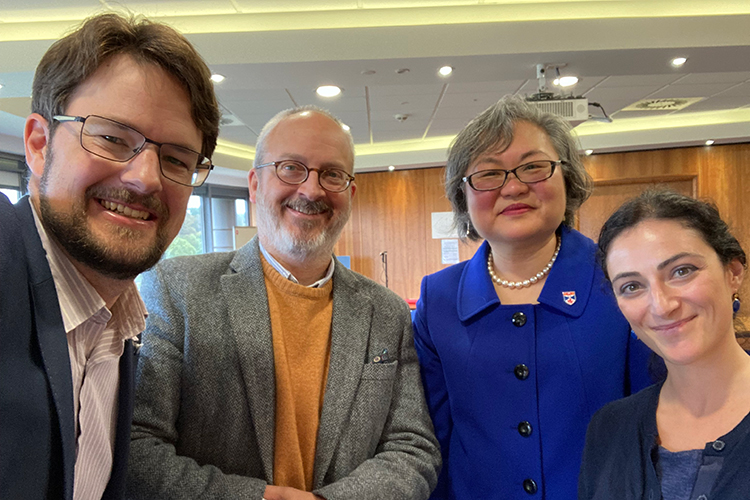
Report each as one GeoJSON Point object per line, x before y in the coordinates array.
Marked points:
{"type": "Point", "coordinates": [350, 327]}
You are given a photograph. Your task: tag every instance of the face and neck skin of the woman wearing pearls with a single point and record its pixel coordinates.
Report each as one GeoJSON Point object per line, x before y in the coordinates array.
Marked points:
{"type": "Point", "coordinates": [519, 220]}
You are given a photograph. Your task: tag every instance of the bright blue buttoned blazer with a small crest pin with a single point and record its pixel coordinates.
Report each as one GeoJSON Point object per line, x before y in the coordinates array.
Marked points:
{"type": "Point", "coordinates": [511, 388]}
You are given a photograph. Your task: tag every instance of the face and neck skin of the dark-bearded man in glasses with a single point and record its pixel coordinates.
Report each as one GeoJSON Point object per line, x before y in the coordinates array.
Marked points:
{"type": "Point", "coordinates": [68, 184]}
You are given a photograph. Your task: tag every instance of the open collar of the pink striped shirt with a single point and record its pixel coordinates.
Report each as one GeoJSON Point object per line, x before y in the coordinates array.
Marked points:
{"type": "Point", "coordinates": [78, 299]}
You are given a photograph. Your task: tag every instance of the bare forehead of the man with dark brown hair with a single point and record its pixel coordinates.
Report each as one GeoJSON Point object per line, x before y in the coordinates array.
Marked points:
{"type": "Point", "coordinates": [141, 95]}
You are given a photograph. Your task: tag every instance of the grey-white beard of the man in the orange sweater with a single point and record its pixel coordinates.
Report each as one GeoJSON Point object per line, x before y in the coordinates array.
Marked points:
{"type": "Point", "coordinates": [310, 239]}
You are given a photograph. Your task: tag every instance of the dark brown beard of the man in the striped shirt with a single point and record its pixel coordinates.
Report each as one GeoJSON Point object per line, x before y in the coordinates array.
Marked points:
{"type": "Point", "coordinates": [122, 256]}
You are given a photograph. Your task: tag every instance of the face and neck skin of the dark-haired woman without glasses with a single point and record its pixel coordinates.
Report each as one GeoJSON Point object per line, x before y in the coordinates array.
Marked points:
{"type": "Point", "coordinates": [677, 296]}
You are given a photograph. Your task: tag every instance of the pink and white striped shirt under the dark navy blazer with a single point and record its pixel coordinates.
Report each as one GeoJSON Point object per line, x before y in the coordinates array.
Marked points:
{"type": "Point", "coordinates": [96, 337]}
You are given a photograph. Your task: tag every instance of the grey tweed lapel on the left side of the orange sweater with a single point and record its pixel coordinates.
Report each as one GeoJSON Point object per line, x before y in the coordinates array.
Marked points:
{"type": "Point", "coordinates": [247, 302]}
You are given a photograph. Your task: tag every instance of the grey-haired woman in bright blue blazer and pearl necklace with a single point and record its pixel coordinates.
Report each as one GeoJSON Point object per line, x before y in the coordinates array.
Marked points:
{"type": "Point", "coordinates": [520, 345]}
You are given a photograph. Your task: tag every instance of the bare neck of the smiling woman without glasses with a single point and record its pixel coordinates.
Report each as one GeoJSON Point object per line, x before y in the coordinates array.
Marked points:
{"type": "Point", "coordinates": [709, 384]}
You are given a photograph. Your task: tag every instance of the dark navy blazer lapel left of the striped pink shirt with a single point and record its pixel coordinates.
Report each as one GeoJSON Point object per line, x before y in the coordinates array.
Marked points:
{"type": "Point", "coordinates": [53, 344]}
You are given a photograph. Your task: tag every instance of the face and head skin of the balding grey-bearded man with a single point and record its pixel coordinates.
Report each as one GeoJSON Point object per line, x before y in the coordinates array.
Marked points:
{"type": "Point", "coordinates": [299, 224]}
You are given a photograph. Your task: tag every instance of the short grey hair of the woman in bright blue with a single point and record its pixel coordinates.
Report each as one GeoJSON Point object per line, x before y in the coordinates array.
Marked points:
{"type": "Point", "coordinates": [493, 128]}
